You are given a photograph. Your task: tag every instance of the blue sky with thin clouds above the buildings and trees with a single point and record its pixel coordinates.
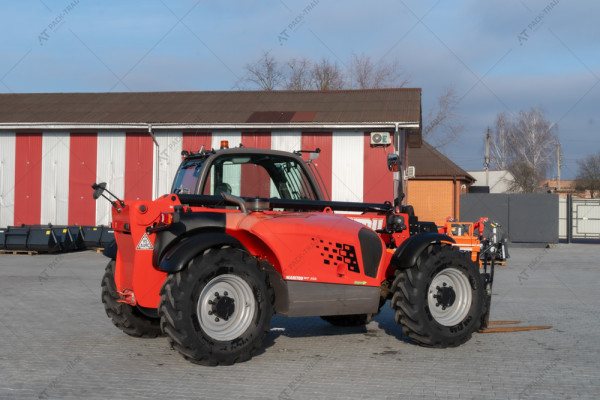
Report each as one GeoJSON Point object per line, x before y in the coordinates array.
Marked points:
{"type": "Point", "coordinates": [498, 55]}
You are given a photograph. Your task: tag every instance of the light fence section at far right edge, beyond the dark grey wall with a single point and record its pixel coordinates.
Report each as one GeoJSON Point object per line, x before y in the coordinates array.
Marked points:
{"type": "Point", "coordinates": [582, 216]}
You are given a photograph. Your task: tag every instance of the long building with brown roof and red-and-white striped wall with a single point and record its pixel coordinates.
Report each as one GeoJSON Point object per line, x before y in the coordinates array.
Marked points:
{"type": "Point", "coordinates": [53, 146]}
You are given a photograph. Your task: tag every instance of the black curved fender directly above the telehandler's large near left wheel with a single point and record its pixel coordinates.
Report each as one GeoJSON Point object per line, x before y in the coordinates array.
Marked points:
{"type": "Point", "coordinates": [178, 256]}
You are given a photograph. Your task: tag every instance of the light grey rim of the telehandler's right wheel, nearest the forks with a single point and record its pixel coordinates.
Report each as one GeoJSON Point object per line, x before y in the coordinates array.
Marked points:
{"type": "Point", "coordinates": [449, 297]}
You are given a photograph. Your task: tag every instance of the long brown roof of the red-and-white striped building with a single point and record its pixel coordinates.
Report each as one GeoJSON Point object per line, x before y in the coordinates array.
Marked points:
{"type": "Point", "coordinates": [343, 106]}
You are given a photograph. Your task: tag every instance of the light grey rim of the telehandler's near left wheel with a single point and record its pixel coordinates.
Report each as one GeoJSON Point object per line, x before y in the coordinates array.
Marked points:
{"type": "Point", "coordinates": [226, 307]}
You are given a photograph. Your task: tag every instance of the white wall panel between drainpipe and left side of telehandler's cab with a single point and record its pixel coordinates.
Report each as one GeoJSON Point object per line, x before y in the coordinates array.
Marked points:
{"type": "Point", "coordinates": [169, 158]}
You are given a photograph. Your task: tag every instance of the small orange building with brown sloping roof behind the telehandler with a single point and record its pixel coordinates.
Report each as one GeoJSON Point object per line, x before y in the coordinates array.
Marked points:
{"type": "Point", "coordinates": [435, 191]}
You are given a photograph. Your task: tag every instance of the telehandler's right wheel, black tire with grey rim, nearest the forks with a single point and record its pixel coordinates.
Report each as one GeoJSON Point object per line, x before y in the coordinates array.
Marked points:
{"type": "Point", "coordinates": [440, 300]}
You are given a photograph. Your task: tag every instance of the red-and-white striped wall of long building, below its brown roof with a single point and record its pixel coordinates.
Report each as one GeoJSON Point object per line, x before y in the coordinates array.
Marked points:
{"type": "Point", "coordinates": [46, 177]}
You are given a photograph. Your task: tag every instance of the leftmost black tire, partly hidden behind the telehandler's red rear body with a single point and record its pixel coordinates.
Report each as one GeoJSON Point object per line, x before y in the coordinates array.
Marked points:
{"type": "Point", "coordinates": [127, 318]}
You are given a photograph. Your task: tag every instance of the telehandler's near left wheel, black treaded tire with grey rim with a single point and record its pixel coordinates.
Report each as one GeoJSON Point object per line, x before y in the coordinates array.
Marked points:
{"type": "Point", "coordinates": [200, 311]}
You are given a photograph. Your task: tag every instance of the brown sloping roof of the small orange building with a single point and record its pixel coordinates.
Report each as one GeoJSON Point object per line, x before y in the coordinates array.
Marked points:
{"type": "Point", "coordinates": [429, 163]}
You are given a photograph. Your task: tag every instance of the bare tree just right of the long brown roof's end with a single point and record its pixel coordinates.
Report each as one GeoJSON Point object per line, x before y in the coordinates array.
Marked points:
{"type": "Point", "coordinates": [442, 124]}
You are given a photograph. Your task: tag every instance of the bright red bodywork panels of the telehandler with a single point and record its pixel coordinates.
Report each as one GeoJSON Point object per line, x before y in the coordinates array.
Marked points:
{"type": "Point", "coordinates": [302, 246]}
